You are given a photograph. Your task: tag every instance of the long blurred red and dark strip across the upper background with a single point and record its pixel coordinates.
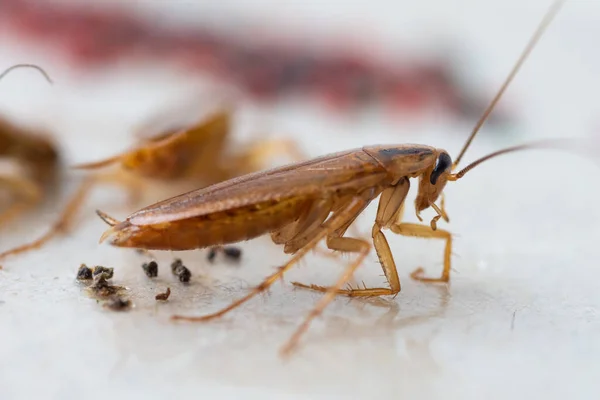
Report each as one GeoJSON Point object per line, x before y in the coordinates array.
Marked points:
{"type": "Point", "coordinates": [91, 37]}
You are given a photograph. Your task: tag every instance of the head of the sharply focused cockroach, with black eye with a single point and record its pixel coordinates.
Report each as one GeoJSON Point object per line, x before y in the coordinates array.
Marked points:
{"type": "Point", "coordinates": [433, 181]}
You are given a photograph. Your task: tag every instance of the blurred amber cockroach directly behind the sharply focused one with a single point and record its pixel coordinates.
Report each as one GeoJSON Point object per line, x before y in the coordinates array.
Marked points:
{"type": "Point", "coordinates": [199, 153]}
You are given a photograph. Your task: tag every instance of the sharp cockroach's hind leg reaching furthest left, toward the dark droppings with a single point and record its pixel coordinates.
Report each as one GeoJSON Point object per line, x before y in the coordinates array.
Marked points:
{"type": "Point", "coordinates": [338, 219]}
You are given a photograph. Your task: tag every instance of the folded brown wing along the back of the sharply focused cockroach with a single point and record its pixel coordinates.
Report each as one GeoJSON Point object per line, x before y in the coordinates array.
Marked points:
{"type": "Point", "coordinates": [350, 171]}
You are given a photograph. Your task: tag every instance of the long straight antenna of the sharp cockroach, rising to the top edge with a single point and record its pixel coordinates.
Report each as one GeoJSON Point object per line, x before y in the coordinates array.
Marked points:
{"type": "Point", "coordinates": [550, 14]}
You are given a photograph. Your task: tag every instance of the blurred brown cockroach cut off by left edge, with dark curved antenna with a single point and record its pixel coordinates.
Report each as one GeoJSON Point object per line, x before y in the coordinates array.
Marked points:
{"type": "Point", "coordinates": [29, 163]}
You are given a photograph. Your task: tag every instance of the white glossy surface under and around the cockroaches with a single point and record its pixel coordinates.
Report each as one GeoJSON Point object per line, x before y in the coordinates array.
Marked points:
{"type": "Point", "coordinates": [521, 318]}
